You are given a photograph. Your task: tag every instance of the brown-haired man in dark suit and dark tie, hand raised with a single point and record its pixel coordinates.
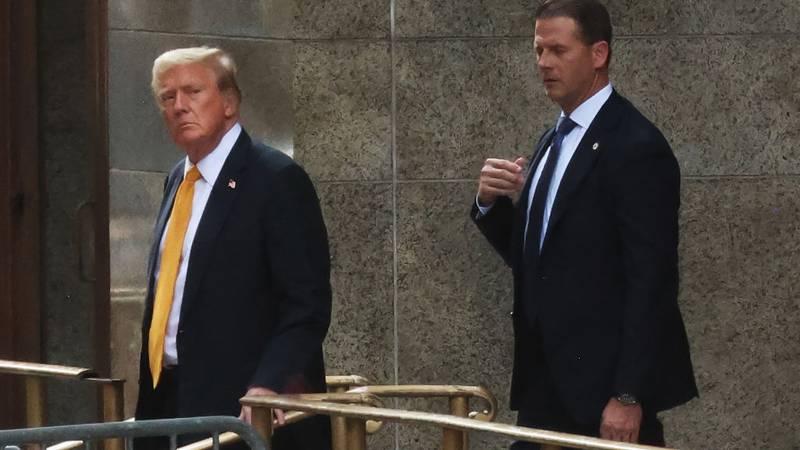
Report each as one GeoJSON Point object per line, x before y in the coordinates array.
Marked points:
{"type": "Point", "coordinates": [600, 345]}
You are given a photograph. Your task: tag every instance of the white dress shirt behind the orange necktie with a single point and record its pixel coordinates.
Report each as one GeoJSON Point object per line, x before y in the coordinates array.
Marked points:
{"type": "Point", "coordinates": [209, 168]}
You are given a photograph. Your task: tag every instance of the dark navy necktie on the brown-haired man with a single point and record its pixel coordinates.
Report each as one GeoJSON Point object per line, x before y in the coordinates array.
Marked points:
{"type": "Point", "coordinates": [536, 217]}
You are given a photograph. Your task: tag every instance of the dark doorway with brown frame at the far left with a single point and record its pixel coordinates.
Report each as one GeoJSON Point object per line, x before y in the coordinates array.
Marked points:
{"type": "Point", "coordinates": [54, 274]}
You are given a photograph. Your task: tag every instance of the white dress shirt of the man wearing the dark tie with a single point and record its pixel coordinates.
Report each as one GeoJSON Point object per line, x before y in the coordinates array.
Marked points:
{"type": "Point", "coordinates": [583, 116]}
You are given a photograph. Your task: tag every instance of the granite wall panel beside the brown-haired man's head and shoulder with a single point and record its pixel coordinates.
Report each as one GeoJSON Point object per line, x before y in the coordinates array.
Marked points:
{"type": "Point", "coordinates": [721, 102]}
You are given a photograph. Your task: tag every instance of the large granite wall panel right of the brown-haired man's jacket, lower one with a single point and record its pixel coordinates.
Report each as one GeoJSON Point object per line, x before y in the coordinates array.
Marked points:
{"type": "Point", "coordinates": [738, 246]}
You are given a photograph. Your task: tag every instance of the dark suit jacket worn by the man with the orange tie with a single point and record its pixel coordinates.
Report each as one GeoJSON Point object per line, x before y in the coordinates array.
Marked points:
{"type": "Point", "coordinates": [257, 298]}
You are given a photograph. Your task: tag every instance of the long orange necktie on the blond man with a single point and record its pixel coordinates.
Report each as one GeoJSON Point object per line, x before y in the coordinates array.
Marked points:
{"type": "Point", "coordinates": [168, 270]}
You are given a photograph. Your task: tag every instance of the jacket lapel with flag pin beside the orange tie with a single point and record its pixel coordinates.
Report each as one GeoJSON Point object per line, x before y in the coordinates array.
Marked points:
{"type": "Point", "coordinates": [214, 216]}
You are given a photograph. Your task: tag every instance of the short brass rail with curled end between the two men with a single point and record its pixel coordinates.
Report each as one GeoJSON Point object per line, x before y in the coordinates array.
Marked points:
{"type": "Point", "coordinates": [432, 390]}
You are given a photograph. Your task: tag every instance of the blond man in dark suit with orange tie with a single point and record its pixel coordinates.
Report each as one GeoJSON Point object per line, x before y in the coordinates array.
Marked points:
{"type": "Point", "coordinates": [239, 297]}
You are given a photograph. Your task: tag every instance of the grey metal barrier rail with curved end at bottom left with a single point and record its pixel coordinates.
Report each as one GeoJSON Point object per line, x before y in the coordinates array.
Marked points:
{"type": "Point", "coordinates": [127, 430]}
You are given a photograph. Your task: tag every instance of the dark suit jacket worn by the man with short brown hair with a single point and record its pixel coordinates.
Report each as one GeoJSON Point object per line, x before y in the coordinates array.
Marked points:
{"type": "Point", "coordinates": [600, 299]}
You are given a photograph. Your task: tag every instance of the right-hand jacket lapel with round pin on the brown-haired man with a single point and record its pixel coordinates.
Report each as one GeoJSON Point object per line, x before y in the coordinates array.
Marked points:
{"type": "Point", "coordinates": [584, 158]}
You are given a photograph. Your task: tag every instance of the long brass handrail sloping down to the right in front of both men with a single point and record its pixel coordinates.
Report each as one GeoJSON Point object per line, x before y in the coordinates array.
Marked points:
{"type": "Point", "coordinates": [357, 415]}
